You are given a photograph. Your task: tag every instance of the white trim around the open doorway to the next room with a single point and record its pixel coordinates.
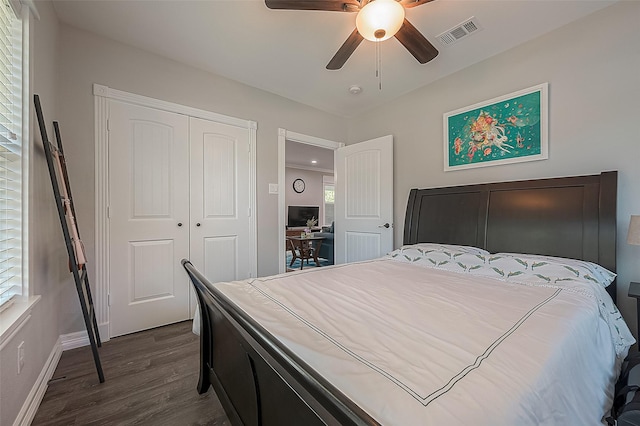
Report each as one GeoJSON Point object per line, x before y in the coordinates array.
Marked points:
{"type": "Point", "coordinates": [285, 135]}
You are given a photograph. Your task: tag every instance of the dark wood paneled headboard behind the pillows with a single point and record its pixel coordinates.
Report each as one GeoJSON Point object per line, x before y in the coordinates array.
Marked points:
{"type": "Point", "coordinates": [572, 217]}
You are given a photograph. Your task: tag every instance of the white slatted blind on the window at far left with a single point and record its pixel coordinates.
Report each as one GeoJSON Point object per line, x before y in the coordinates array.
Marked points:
{"type": "Point", "coordinates": [10, 154]}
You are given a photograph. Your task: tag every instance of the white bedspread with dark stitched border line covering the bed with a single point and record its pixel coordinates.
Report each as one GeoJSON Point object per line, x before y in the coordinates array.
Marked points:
{"type": "Point", "coordinates": [418, 346]}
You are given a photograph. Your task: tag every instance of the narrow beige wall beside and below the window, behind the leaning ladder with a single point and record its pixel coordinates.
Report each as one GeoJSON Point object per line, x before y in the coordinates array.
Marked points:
{"type": "Point", "coordinates": [48, 259]}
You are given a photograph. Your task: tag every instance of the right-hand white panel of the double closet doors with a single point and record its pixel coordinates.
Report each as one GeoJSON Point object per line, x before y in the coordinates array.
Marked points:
{"type": "Point", "coordinates": [220, 201]}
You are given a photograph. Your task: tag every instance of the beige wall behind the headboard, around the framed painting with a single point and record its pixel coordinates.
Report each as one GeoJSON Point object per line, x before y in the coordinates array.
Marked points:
{"type": "Point", "coordinates": [592, 67]}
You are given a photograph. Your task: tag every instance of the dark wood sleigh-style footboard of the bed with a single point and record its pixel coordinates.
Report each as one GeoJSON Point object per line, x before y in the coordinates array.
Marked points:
{"type": "Point", "coordinates": [259, 381]}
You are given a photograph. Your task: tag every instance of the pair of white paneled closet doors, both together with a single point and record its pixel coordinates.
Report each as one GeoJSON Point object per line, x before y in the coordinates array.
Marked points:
{"type": "Point", "coordinates": [178, 188]}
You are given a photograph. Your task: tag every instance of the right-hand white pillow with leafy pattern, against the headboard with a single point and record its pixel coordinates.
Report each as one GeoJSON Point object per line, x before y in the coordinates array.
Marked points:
{"type": "Point", "coordinates": [557, 266]}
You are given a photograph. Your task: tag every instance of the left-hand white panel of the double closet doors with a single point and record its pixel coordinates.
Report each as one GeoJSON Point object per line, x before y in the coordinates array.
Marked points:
{"type": "Point", "coordinates": [149, 217]}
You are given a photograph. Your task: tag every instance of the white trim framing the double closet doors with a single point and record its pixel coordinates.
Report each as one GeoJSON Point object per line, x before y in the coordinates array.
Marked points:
{"type": "Point", "coordinates": [102, 95]}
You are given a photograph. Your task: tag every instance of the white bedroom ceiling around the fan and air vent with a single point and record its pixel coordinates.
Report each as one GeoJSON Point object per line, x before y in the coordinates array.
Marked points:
{"type": "Point", "coordinates": [285, 52]}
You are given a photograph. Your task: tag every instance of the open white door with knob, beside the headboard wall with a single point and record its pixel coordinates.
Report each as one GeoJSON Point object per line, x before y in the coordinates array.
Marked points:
{"type": "Point", "coordinates": [364, 200]}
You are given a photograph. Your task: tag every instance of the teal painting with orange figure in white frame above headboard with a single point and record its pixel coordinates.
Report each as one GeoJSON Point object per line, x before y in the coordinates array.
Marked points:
{"type": "Point", "coordinates": [508, 129]}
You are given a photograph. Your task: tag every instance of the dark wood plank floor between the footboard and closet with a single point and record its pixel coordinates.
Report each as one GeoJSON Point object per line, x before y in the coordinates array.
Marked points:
{"type": "Point", "coordinates": [150, 379]}
